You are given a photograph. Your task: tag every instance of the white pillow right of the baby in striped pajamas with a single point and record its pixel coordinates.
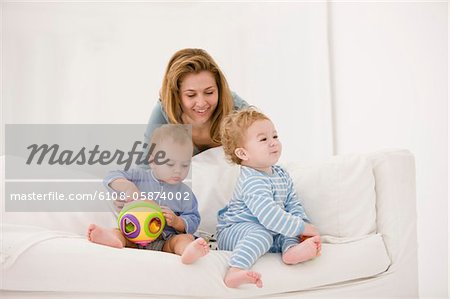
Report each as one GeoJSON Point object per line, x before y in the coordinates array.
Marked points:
{"type": "Point", "coordinates": [337, 195]}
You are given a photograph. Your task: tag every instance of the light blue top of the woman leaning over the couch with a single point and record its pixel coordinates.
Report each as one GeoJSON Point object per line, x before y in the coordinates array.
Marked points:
{"type": "Point", "coordinates": [159, 117]}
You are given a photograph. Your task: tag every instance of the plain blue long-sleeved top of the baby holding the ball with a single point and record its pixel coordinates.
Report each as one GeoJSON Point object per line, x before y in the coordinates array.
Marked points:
{"type": "Point", "coordinates": [147, 183]}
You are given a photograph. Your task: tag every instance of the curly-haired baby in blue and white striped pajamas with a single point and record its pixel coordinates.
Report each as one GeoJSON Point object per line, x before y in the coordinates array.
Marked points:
{"type": "Point", "coordinates": [264, 213]}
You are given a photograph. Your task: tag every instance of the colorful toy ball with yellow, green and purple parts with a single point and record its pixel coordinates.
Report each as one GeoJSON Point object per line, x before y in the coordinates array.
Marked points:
{"type": "Point", "coordinates": [141, 222]}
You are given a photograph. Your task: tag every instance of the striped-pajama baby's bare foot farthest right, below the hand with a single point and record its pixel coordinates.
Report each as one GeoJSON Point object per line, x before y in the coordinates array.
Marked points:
{"type": "Point", "coordinates": [306, 250]}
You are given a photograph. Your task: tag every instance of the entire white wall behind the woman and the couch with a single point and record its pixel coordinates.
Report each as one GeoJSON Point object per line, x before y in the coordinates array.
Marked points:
{"type": "Point", "coordinates": [386, 64]}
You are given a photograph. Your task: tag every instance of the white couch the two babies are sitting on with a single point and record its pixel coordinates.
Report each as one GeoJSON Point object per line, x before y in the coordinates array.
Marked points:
{"type": "Point", "coordinates": [363, 205]}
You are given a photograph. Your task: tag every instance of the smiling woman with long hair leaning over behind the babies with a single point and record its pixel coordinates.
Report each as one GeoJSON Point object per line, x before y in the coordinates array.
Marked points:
{"type": "Point", "coordinates": [194, 92]}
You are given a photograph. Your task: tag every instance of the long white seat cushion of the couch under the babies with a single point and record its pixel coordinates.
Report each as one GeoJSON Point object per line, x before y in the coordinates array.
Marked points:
{"type": "Point", "coordinates": [50, 264]}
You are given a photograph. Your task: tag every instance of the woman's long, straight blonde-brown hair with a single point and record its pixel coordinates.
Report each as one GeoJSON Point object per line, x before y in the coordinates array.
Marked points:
{"type": "Point", "coordinates": [188, 61]}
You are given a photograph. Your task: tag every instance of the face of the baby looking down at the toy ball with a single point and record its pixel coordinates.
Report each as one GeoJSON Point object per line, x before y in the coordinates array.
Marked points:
{"type": "Point", "coordinates": [179, 161]}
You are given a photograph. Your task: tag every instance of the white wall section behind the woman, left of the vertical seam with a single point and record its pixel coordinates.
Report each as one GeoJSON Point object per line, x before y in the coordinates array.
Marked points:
{"type": "Point", "coordinates": [103, 62]}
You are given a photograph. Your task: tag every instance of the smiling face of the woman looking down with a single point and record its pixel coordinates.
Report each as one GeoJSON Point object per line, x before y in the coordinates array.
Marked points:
{"type": "Point", "coordinates": [199, 97]}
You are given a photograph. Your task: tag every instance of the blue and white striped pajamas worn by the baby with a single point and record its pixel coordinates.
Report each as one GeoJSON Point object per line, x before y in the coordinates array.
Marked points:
{"type": "Point", "coordinates": [263, 215]}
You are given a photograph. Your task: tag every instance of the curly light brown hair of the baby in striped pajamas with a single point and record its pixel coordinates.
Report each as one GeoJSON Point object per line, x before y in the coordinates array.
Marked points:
{"type": "Point", "coordinates": [233, 130]}
